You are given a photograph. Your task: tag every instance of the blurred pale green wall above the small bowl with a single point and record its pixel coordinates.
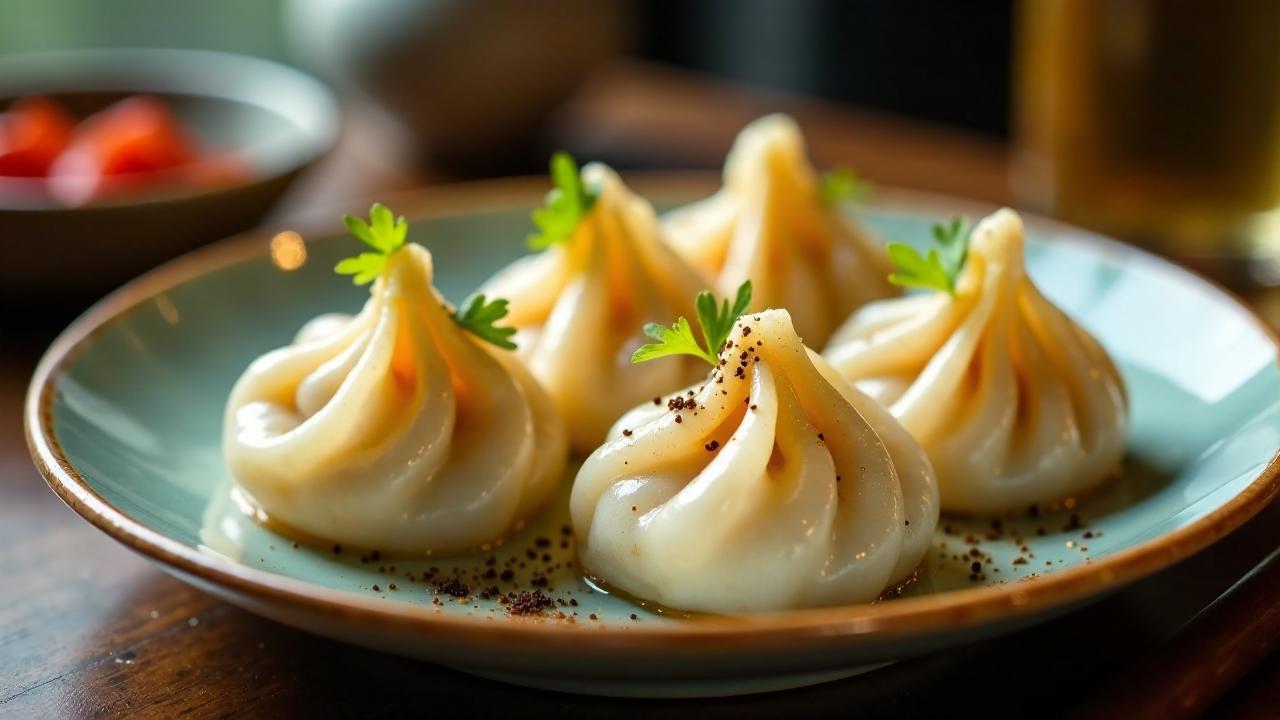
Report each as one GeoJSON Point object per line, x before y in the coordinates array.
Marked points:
{"type": "Point", "coordinates": [252, 28]}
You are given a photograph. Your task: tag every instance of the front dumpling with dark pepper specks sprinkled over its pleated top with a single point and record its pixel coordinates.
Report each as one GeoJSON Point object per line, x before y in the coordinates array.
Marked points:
{"type": "Point", "coordinates": [775, 485]}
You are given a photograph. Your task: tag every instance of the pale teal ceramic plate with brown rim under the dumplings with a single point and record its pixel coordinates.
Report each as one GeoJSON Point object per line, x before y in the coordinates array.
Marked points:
{"type": "Point", "coordinates": [125, 417]}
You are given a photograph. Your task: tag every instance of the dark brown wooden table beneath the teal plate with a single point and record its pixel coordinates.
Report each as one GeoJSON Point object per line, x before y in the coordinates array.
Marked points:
{"type": "Point", "coordinates": [90, 630]}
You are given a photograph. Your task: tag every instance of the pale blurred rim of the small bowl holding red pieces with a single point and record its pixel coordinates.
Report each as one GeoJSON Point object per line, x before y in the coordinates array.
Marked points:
{"type": "Point", "coordinates": [305, 103]}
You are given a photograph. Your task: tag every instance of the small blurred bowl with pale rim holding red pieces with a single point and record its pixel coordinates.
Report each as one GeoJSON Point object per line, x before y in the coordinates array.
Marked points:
{"type": "Point", "coordinates": [273, 119]}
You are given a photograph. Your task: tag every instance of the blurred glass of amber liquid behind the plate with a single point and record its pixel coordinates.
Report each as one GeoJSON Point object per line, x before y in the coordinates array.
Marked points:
{"type": "Point", "coordinates": [1156, 121]}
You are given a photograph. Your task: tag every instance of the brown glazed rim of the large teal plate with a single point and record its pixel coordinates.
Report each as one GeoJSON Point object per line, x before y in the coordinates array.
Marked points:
{"type": "Point", "coordinates": [900, 619]}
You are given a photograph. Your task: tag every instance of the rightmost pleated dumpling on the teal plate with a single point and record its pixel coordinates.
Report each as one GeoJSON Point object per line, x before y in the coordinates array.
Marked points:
{"type": "Point", "coordinates": [1014, 403]}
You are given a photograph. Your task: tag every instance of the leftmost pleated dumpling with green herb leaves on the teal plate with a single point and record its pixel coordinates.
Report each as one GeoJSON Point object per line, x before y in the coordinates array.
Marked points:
{"type": "Point", "coordinates": [395, 430]}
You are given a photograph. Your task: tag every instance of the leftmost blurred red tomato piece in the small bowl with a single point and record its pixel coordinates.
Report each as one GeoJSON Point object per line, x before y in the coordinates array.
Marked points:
{"type": "Point", "coordinates": [33, 134]}
